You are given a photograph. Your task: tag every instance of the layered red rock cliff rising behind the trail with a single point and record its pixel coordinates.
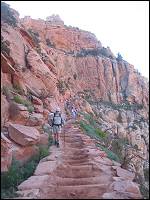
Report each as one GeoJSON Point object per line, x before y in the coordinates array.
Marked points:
{"type": "Point", "coordinates": [46, 62]}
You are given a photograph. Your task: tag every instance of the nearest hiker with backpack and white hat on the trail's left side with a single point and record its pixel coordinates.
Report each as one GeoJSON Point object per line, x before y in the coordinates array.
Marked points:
{"type": "Point", "coordinates": [57, 123]}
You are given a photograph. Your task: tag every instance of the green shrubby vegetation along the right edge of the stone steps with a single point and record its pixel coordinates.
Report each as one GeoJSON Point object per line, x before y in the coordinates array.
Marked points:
{"type": "Point", "coordinates": [91, 127]}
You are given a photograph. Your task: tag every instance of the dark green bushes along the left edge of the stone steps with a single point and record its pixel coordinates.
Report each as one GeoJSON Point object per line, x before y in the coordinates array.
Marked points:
{"type": "Point", "coordinates": [18, 173]}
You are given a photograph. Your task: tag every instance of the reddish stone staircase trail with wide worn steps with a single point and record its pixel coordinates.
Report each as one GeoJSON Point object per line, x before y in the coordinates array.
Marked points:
{"type": "Point", "coordinates": [77, 170]}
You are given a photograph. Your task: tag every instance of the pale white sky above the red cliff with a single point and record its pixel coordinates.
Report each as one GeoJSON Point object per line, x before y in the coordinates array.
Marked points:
{"type": "Point", "coordinates": [121, 25]}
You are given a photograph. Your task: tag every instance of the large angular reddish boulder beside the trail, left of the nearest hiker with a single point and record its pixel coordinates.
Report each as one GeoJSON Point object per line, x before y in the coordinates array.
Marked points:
{"type": "Point", "coordinates": [23, 135]}
